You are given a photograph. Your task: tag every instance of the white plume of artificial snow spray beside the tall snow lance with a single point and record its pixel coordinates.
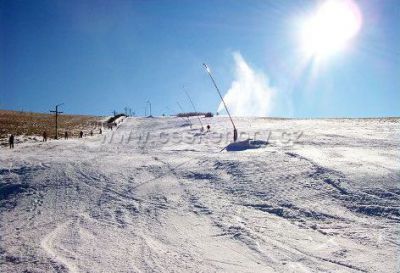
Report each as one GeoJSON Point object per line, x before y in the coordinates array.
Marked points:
{"type": "Point", "coordinates": [250, 93]}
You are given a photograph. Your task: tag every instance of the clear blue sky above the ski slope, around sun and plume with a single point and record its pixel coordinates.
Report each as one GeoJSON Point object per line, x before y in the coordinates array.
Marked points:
{"type": "Point", "coordinates": [97, 56]}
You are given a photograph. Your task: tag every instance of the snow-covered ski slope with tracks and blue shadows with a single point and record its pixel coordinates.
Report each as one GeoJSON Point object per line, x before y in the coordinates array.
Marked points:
{"type": "Point", "coordinates": [322, 196]}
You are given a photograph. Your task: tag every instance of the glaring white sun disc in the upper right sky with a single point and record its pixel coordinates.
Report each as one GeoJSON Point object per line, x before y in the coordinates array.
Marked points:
{"type": "Point", "coordinates": [330, 28]}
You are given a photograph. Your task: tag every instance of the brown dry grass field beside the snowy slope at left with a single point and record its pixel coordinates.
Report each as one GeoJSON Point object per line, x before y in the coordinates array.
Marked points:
{"type": "Point", "coordinates": [34, 124]}
